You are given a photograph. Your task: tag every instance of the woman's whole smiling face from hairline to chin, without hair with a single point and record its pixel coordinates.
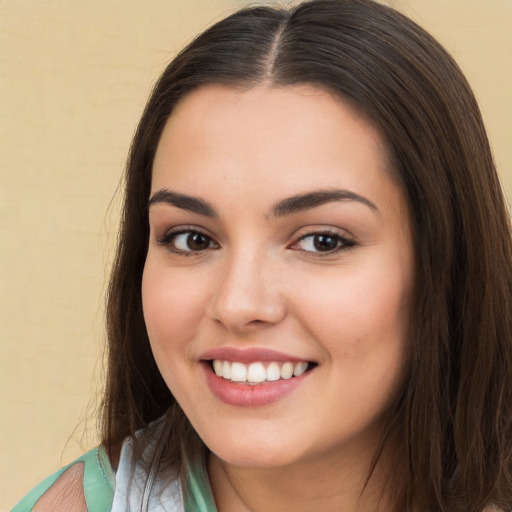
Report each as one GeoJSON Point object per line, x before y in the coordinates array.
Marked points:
{"type": "Point", "coordinates": [279, 243]}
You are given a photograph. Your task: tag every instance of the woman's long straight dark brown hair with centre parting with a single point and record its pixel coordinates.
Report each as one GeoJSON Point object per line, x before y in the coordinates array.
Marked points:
{"type": "Point", "coordinates": [454, 417]}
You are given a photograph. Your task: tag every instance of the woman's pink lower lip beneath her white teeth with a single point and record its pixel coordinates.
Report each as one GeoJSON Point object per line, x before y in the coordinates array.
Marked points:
{"type": "Point", "coordinates": [251, 395]}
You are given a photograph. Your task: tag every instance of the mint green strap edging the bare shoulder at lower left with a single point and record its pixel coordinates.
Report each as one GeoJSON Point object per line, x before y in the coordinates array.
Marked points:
{"type": "Point", "coordinates": [99, 483]}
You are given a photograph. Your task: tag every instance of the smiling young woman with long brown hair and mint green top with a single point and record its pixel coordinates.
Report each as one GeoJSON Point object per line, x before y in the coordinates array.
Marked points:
{"type": "Point", "coordinates": [309, 308]}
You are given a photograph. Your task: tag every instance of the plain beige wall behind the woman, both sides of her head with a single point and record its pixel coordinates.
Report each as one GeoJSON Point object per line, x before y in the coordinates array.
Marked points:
{"type": "Point", "coordinates": [74, 76]}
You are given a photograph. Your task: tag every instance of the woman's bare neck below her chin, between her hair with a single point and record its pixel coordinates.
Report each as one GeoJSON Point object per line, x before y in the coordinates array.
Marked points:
{"type": "Point", "coordinates": [336, 482]}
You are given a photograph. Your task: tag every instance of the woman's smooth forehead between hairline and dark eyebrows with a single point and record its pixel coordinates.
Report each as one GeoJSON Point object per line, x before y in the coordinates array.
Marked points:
{"type": "Point", "coordinates": [267, 139]}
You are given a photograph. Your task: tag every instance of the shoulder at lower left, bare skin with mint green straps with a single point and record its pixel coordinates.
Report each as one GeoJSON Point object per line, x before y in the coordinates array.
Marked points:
{"type": "Point", "coordinates": [85, 484]}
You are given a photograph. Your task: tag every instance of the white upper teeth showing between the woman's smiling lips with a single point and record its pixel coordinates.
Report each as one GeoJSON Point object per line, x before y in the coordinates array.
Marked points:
{"type": "Point", "coordinates": [258, 372]}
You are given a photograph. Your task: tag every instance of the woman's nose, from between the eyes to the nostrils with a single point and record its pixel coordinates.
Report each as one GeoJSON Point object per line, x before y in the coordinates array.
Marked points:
{"type": "Point", "coordinates": [248, 296]}
